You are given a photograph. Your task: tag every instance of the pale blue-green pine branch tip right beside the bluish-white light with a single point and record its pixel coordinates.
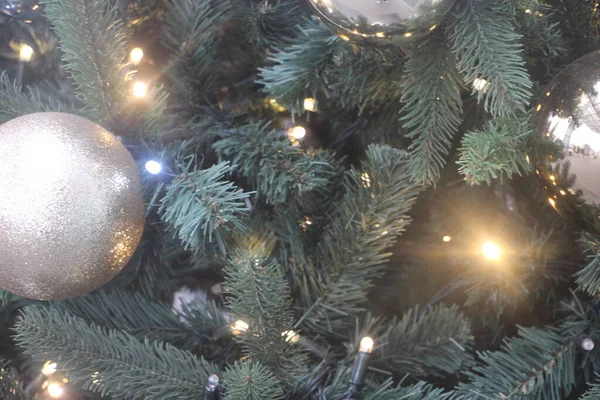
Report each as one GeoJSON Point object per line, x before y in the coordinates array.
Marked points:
{"type": "Point", "coordinates": [200, 207]}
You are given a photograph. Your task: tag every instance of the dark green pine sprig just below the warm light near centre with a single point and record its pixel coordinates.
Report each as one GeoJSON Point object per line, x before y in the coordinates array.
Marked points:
{"type": "Point", "coordinates": [279, 171]}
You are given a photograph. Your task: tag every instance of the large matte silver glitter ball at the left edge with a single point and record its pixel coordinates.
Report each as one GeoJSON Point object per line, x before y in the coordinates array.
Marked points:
{"type": "Point", "coordinates": [71, 208]}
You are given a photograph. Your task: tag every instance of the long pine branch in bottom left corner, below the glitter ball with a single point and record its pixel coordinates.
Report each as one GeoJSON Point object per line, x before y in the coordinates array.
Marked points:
{"type": "Point", "coordinates": [111, 362]}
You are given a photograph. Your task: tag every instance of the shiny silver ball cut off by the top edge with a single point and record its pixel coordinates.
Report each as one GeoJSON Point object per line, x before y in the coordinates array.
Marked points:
{"type": "Point", "coordinates": [380, 22]}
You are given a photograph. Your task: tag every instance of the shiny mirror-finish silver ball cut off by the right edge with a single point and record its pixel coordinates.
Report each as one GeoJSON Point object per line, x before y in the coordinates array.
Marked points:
{"type": "Point", "coordinates": [569, 114]}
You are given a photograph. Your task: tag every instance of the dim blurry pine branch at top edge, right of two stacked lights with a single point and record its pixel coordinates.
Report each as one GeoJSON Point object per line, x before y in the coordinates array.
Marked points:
{"type": "Point", "coordinates": [191, 29]}
